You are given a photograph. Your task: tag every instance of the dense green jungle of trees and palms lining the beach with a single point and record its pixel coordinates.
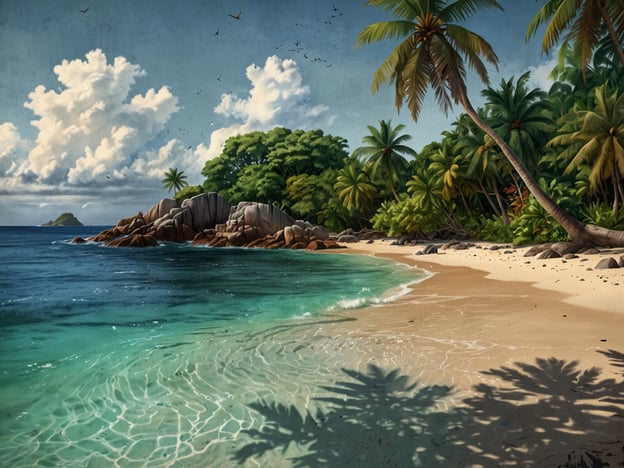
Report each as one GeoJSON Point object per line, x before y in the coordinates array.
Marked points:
{"type": "Point", "coordinates": [570, 139]}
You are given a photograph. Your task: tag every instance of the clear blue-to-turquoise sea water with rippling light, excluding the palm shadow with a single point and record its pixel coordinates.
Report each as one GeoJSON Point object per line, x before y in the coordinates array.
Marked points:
{"type": "Point", "coordinates": [153, 356]}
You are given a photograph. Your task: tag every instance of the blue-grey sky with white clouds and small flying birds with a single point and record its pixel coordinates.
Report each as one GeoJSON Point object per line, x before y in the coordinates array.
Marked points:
{"type": "Point", "coordinates": [98, 98]}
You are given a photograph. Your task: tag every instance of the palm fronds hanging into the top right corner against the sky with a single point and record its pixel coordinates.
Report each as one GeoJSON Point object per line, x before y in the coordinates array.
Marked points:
{"type": "Point", "coordinates": [585, 21]}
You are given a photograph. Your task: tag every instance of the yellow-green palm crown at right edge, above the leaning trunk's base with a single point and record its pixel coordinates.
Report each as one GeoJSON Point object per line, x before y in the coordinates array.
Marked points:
{"type": "Point", "coordinates": [602, 138]}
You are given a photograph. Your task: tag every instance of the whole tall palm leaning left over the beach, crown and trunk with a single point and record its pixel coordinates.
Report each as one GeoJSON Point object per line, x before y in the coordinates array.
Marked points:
{"type": "Point", "coordinates": [433, 54]}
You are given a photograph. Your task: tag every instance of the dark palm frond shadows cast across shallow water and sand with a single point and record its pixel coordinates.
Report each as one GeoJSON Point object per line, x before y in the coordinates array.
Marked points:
{"type": "Point", "coordinates": [550, 413]}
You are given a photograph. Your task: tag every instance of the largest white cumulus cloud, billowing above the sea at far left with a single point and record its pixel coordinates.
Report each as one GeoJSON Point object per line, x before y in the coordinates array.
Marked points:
{"type": "Point", "coordinates": [92, 130]}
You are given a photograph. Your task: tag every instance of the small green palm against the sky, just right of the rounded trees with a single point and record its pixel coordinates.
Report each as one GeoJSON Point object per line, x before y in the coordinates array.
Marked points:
{"type": "Point", "coordinates": [385, 152]}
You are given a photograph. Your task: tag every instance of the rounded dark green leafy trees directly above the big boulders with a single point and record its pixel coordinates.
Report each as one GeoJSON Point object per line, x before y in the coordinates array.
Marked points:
{"type": "Point", "coordinates": [293, 169]}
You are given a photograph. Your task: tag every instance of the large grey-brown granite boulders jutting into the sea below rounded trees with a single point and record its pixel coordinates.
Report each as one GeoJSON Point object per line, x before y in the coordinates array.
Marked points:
{"type": "Point", "coordinates": [208, 219]}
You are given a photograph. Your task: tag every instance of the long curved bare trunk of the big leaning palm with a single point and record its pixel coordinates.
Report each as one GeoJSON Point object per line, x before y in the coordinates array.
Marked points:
{"type": "Point", "coordinates": [579, 233]}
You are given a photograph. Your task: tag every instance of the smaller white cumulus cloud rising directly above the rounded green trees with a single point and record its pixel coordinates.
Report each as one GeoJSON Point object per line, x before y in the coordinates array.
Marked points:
{"type": "Point", "coordinates": [277, 97]}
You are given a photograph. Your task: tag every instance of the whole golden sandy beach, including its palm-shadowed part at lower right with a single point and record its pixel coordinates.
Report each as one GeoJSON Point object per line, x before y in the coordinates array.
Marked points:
{"type": "Point", "coordinates": [535, 347]}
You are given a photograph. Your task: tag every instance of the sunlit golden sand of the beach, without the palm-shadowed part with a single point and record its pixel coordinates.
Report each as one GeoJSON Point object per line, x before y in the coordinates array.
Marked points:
{"type": "Point", "coordinates": [482, 309]}
